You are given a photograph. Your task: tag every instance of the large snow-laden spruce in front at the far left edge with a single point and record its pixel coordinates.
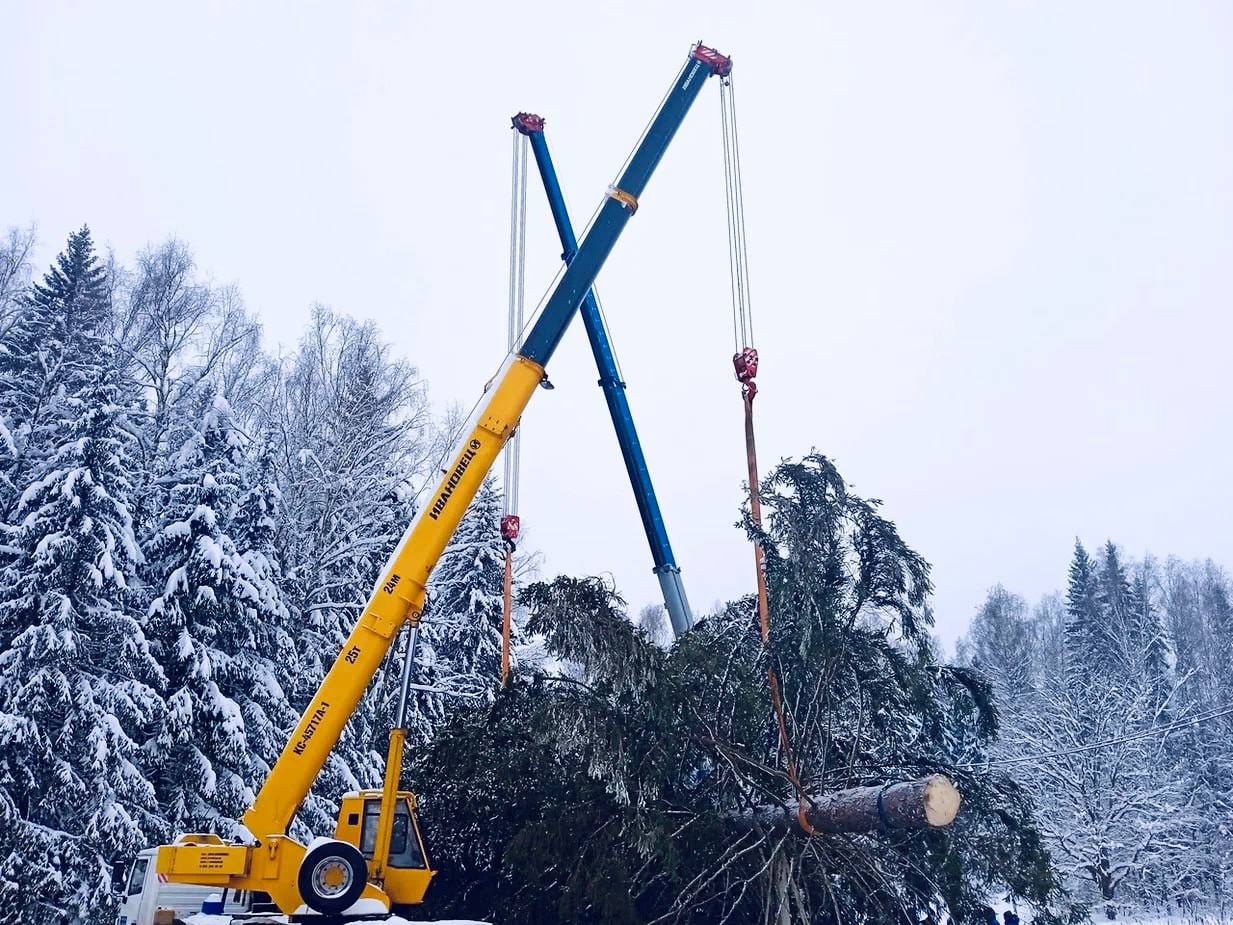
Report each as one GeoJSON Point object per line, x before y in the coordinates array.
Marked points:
{"type": "Point", "coordinates": [77, 679]}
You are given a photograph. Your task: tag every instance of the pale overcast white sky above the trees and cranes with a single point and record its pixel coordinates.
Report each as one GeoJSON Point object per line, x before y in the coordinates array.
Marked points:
{"type": "Point", "coordinates": [992, 245]}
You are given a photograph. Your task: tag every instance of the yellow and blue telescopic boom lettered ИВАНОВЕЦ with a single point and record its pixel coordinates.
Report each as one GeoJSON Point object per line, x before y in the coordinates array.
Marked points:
{"type": "Point", "coordinates": [400, 594]}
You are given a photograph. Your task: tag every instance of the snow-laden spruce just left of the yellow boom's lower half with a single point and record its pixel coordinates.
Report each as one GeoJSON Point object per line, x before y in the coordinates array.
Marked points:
{"type": "Point", "coordinates": [219, 628]}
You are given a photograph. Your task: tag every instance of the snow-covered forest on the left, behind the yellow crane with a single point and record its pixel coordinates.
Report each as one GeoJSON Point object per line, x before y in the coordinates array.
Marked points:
{"type": "Point", "coordinates": [190, 528]}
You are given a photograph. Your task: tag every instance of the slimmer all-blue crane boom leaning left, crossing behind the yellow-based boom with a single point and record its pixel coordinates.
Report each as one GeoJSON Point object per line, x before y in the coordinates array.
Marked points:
{"type": "Point", "coordinates": [666, 569]}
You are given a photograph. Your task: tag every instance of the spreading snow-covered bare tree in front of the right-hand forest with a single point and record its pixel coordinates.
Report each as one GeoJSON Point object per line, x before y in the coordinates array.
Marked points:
{"type": "Point", "coordinates": [1112, 795]}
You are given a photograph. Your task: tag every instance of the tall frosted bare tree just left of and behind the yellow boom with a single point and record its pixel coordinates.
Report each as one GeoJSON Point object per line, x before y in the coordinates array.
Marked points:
{"type": "Point", "coordinates": [353, 436]}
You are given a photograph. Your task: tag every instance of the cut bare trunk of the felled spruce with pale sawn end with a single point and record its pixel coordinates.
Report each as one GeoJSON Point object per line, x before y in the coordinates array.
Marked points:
{"type": "Point", "coordinates": [928, 804]}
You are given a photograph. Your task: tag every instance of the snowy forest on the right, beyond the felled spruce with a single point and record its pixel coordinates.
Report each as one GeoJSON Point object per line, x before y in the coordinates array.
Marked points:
{"type": "Point", "coordinates": [1125, 681]}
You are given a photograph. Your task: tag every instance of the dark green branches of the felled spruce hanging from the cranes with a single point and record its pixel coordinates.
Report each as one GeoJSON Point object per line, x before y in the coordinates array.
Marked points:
{"type": "Point", "coordinates": [637, 785]}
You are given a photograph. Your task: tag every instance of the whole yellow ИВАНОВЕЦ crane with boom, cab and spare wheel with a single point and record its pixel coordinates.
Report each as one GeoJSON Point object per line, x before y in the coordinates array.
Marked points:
{"type": "Point", "coordinates": [377, 858]}
